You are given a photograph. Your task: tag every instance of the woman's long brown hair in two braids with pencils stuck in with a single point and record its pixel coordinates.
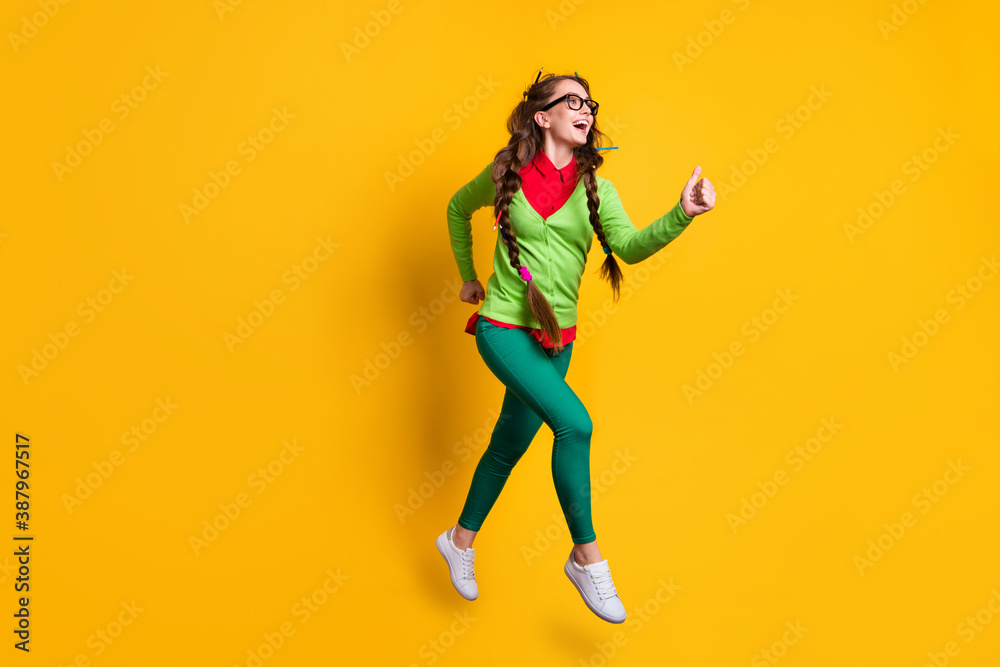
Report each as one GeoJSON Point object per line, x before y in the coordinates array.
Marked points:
{"type": "Point", "coordinates": [526, 137]}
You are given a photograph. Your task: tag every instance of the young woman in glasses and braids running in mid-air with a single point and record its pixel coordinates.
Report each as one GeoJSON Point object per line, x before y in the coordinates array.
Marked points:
{"type": "Point", "coordinates": [549, 204]}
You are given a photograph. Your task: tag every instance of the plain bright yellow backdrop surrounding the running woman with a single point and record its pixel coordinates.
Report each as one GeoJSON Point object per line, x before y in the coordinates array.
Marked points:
{"type": "Point", "coordinates": [364, 449]}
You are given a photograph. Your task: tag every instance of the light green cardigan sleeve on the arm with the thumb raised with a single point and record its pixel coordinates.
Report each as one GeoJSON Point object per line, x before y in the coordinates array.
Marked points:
{"type": "Point", "coordinates": [633, 245]}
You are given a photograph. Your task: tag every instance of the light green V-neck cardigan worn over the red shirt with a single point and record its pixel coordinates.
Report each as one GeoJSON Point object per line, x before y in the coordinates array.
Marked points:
{"type": "Point", "coordinates": [554, 250]}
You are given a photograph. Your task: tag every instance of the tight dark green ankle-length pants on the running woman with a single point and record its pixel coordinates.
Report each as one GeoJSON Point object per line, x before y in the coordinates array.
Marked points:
{"type": "Point", "coordinates": [536, 391]}
